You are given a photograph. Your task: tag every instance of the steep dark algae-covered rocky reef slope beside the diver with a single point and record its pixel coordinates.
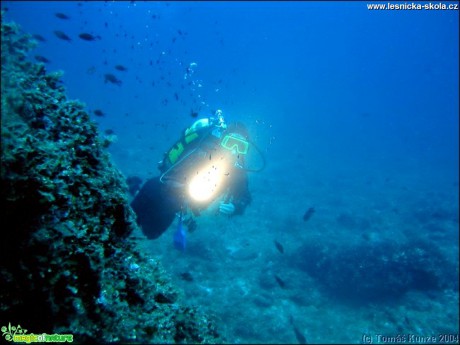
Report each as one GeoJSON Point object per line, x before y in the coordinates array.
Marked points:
{"type": "Point", "coordinates": [68, 262]}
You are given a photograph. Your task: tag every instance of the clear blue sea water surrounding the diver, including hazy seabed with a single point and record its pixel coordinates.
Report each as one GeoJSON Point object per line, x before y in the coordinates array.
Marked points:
{"type": "Point", "coordinates": [355, 110]}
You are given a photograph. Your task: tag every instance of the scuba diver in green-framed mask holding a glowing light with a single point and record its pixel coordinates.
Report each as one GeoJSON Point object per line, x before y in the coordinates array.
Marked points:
{"type": "Point", "coordinates": [206, 163]}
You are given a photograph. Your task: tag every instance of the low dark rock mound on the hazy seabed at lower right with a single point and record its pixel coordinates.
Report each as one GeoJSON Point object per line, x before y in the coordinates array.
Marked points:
{"type": "Point", "coordinates": [380, 271]}
